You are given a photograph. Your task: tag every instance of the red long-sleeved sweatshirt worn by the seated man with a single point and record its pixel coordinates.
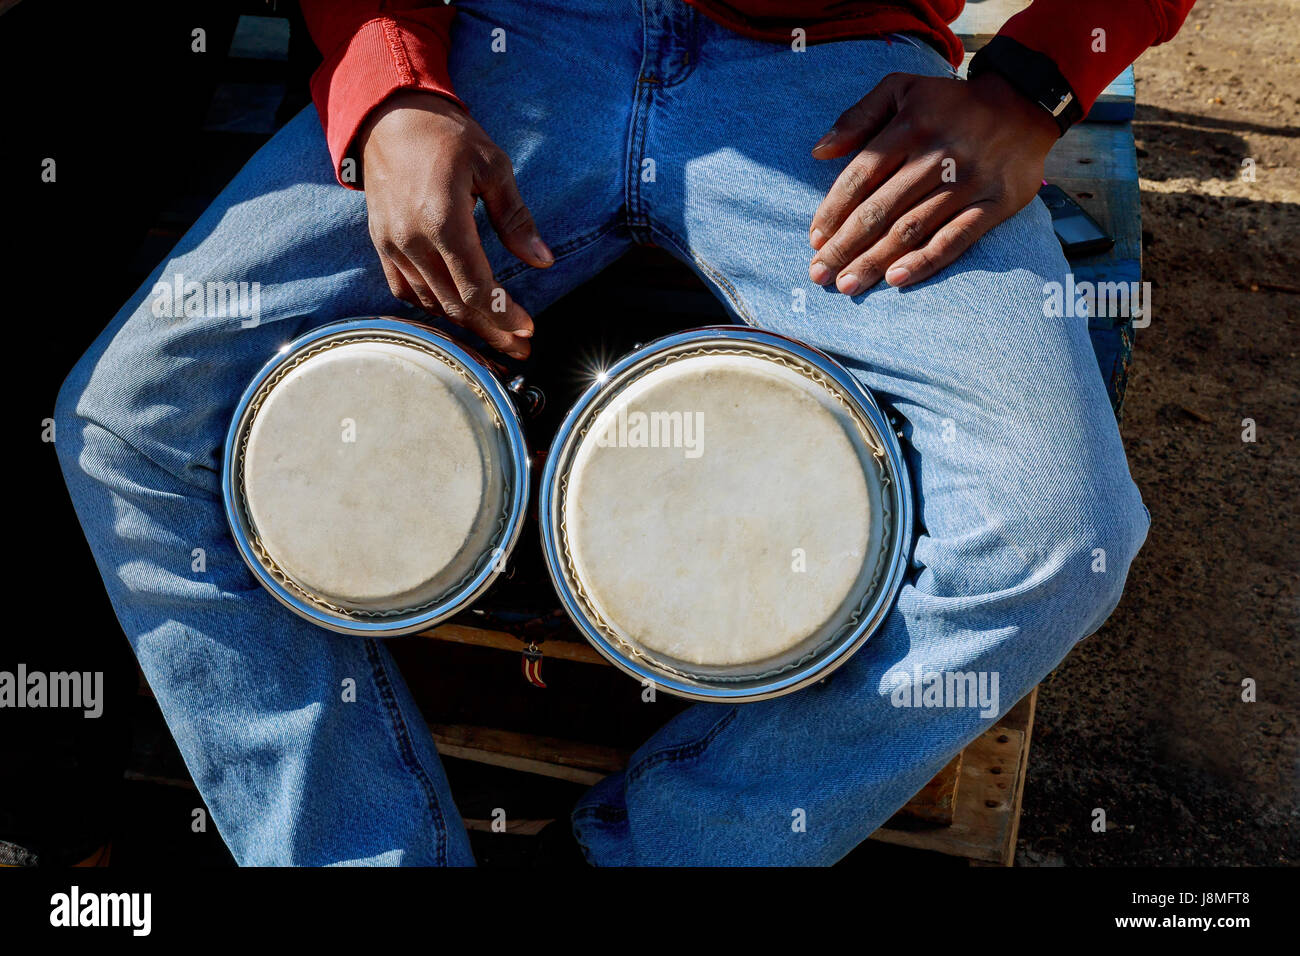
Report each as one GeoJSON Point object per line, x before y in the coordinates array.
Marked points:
{"type": "Point", "coordinates": [376, 47]}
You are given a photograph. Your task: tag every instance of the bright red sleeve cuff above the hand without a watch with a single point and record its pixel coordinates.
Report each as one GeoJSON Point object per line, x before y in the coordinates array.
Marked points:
{"type": "Point", "coordinates": [382, 58]}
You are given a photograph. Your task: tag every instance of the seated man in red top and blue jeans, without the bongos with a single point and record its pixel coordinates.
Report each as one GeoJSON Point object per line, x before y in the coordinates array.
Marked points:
{"type": "Point", "coordinates": [821, 167]}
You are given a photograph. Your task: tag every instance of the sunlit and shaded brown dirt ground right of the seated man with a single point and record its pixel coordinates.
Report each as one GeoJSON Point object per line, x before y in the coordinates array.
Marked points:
{"type": "Point", "coordinates": [1146, 720]}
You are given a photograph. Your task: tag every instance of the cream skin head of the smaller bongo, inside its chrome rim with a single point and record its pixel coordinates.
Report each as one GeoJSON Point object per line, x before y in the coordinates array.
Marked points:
{"type": "Point", "coordinates": [374, 475]}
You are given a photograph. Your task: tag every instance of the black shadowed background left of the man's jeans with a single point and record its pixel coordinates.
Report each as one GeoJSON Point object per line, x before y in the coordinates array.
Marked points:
{"type": "Point", "coordinates": [116, 97]}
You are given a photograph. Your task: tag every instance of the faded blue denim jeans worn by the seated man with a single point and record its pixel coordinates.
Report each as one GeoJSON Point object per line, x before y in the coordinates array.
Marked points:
{"type": "Point", "coordinates": [632, 122]}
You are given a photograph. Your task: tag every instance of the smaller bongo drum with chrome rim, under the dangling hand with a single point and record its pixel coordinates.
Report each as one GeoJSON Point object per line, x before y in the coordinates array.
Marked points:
{"type": "Point", "coordinates": [375, 477]}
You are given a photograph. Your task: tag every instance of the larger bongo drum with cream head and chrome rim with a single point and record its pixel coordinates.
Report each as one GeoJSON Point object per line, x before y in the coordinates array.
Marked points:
{"type": "Point", "coordinates": [726, 514]}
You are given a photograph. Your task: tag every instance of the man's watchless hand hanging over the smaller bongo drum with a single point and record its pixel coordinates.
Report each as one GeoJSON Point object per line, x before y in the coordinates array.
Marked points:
{"type": "Point", "coordinates": [424, 162]}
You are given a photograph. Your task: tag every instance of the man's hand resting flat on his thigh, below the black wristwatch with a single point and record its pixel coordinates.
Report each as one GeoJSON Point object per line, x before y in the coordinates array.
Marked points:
{"type": "Point", "coordinates": [942, 162]}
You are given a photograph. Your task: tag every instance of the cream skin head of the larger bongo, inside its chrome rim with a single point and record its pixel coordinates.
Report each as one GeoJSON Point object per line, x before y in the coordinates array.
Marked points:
{"type": "Point", "coordinates": [725, 512]}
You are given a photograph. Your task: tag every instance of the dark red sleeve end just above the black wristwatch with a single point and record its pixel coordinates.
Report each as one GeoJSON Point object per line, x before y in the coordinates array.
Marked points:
{"type": "Point", "coordinates": [1094, 42]}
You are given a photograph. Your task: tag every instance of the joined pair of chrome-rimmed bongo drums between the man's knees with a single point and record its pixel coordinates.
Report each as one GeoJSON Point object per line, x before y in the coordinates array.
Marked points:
{"type": "Point", "coordinates": [725, 513]}
